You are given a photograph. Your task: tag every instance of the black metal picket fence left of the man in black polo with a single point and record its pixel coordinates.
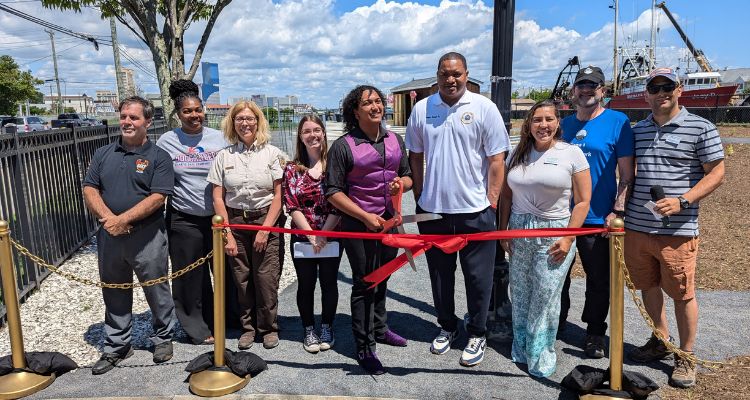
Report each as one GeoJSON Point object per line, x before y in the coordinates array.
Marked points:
{"type": "Point", "coordinates": [40, 193]}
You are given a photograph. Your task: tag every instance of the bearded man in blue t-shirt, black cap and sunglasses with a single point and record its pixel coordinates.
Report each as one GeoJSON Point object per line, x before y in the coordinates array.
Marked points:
{"type": "Point", "coordinates": [606, 139]}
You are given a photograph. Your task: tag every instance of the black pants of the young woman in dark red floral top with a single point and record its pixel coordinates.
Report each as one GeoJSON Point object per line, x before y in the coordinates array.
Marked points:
{"type": "Point", "coordinates": [309, 270]}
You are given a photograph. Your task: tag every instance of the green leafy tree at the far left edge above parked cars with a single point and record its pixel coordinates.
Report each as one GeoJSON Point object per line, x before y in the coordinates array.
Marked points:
{"type": "Point", "coordinates": [16, 86]}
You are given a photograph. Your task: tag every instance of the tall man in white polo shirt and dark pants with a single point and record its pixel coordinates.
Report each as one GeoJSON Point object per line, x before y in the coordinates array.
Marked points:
{"type": "Point", "coordinates": [462, 138]}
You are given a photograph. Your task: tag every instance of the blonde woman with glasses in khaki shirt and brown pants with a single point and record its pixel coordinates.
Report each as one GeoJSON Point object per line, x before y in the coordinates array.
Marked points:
{"type": "Point", "coordinates": [247, 190]}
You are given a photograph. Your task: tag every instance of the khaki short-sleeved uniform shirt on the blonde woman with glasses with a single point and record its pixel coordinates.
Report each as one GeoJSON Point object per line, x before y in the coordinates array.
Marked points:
{"type": "Point", "coordinates": [247, 174]}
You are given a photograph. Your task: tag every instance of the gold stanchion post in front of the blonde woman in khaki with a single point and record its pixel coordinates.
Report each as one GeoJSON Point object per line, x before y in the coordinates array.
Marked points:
{"type": "Point", "coordinates": [218, 380]}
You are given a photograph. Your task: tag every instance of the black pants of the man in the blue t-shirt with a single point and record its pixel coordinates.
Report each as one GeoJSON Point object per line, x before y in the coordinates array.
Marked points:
{"type": "Point", "coordinates": [594, 253]}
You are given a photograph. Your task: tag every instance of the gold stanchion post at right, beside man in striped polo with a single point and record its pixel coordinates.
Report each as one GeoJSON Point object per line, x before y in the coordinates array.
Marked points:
{"type": "Point", "coordinates": [616, 312]}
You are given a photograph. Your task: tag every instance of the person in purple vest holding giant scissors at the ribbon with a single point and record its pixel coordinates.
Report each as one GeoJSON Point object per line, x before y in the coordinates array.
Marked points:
{"type": "Point", "coordinates": [365, 167]}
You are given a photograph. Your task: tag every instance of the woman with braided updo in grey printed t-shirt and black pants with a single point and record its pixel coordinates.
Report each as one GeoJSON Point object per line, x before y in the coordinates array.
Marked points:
{"type": "Point", "coordinates": [192, 147]}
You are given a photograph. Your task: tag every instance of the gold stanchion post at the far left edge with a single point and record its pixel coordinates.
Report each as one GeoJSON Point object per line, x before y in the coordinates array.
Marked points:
{"type": "Point", "coordinates": [17, 383]}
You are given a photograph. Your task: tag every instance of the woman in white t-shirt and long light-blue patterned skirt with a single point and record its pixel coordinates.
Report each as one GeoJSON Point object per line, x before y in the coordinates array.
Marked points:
{"type": "Point", "coordinates": [543, 174]}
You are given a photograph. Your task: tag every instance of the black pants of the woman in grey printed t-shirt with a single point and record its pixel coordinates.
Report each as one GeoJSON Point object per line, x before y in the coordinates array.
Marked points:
{"type": "Point", "coordinates": [190, 239]}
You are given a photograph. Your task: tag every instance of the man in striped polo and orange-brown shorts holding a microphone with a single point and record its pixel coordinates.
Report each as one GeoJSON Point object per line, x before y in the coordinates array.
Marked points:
{"type": "Point", "coordinates": [681, 154]}
